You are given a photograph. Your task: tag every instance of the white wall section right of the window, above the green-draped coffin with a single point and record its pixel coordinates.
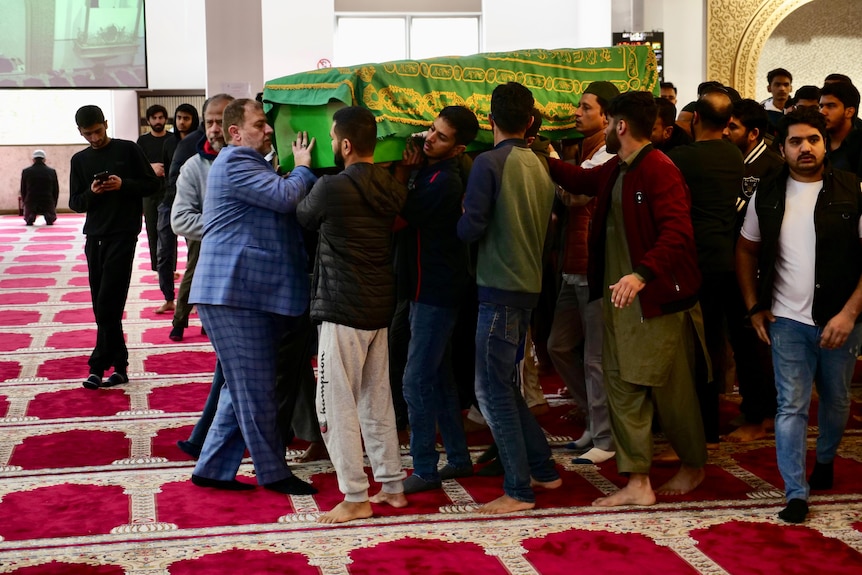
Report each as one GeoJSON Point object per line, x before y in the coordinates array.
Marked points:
{"type": "Point", "coordinates": [513, 25]}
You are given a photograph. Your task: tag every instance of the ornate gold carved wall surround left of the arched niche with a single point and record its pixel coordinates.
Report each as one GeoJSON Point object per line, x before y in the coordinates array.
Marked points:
{"type": "Point", "coordinates": [736, 31]}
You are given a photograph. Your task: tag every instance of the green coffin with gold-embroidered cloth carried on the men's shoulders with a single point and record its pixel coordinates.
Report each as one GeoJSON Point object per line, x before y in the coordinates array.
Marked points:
{"type": "Point", "coordinates": [406, 95]}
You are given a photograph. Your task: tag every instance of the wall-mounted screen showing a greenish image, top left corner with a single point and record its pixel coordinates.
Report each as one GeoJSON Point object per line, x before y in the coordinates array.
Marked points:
{"type": "Point", "coordinates": [72, 44]}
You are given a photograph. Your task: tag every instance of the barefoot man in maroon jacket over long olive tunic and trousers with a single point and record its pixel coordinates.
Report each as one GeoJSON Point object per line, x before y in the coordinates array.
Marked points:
{"type": "Point", "coordinates": [642, 248]}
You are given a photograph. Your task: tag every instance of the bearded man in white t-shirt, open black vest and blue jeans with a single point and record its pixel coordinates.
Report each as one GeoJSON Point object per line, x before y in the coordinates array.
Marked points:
{"type": "Point", "coordinates": [803, 237]}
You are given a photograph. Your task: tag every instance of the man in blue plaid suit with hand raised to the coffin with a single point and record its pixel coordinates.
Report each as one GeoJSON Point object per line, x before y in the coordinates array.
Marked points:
{"type": "Point", "coordinates": [250, 287]}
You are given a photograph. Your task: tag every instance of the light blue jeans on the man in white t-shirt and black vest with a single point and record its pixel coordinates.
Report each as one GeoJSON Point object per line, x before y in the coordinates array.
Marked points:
{"type": "Point", "coordinates": [799, 361]}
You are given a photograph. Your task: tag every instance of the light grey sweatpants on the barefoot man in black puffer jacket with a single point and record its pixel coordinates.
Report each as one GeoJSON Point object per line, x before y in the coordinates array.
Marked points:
{"type": "Point", "coordinates": [354, 403]}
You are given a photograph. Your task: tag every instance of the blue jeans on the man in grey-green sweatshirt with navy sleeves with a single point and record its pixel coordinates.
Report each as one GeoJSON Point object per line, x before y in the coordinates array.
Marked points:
{"type": "Point", "coordinates": [522, 445]}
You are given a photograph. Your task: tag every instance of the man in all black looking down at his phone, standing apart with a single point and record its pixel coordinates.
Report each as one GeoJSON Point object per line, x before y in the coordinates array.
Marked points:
{"type": "Point", "coordinates": [108, 181]}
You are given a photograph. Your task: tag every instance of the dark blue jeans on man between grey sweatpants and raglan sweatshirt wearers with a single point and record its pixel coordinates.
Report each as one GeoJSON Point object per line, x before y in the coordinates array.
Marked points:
{"type": "Point", "coordinates": [429, 389]}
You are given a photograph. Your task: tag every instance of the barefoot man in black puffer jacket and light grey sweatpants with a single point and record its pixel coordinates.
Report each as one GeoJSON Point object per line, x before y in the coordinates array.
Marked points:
{"type": "Point", "coordinates": [354, 298]}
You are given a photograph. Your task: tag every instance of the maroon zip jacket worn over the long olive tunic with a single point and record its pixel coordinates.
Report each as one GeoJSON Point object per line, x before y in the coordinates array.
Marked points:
{"type": "Point", "coordinates": [657, 218]}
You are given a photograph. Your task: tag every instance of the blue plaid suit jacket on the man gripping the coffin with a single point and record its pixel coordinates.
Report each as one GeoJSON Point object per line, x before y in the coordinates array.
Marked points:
{"type": "Point", "coordinates": [252, 254]}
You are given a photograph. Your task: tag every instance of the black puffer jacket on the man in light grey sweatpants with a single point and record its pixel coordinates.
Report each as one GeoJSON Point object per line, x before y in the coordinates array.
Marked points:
{"type": "Point", "coordinates": [354, 284]}
